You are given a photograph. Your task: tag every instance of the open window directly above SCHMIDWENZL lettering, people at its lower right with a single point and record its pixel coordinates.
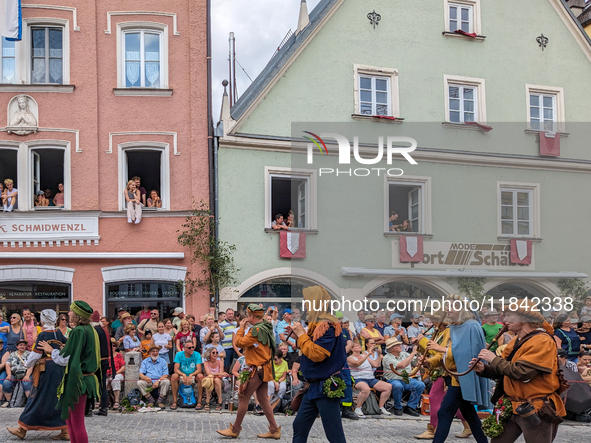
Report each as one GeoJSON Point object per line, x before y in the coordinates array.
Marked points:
{"type": "Point", "coordinates": [47, 172]}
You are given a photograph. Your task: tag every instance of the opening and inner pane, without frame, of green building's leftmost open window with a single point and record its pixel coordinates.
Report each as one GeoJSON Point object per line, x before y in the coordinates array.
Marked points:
{"type": "Point", "coordinates": [290, 194]}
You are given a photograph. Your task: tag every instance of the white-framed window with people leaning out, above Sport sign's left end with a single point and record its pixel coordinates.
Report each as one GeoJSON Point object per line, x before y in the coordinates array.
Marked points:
{"type": "Point", "coordinates": [408, 207]}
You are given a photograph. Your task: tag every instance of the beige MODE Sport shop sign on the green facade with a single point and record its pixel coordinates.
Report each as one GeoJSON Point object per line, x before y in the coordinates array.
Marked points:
{"type": "Point", "coordinates": [460, 255]}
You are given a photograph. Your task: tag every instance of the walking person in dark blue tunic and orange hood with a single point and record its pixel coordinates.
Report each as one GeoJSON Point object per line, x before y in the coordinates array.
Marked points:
{"type": "Point", "coordinates": [323, 357]}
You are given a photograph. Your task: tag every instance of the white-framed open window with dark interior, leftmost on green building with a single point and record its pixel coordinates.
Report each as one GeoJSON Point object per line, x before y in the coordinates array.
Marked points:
{"type": "Point", "coordinates": [291, 190]}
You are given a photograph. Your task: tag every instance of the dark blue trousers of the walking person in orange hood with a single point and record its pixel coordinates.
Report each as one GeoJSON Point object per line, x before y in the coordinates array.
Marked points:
{"type": "Point", "coordinates": [330, 414]}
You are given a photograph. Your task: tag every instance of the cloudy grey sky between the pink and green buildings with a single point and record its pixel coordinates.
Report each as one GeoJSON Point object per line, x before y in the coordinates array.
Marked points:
{"type": "Point", "coordinates": [258, 26]}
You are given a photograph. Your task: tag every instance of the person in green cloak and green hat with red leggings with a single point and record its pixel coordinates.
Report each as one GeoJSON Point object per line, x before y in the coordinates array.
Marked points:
{"type": "Point", "coordinates": [82, 359]}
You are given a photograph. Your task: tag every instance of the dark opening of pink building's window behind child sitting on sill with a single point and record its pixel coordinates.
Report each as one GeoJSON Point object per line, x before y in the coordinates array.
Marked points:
{"type": "Point", "coordinates": [147, 165]}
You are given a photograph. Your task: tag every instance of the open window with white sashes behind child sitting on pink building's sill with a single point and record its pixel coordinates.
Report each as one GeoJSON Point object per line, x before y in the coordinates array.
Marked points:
{"type": "Point", "coordinates": [150, 166]}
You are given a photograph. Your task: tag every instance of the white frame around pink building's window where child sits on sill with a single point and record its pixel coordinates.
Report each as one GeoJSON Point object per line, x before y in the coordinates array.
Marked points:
{"type": "Point", "coordinates": [164, 148]}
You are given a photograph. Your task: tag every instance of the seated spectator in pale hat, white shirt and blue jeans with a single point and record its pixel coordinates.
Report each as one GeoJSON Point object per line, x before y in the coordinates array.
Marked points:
{"type": "Point", "coordinates": [401, 361]}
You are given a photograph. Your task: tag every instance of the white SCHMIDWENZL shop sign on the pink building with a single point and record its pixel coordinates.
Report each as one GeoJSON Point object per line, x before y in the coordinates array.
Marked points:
{"type": "Point", "coordinates": [64, 228]}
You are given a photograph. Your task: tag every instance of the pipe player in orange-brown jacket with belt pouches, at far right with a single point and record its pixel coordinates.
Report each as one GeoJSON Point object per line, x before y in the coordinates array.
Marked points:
{"type": "Point", "coordinates": [528, 378]}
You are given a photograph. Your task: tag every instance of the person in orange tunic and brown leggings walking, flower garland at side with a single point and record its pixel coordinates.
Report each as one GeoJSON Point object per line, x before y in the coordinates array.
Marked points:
{"type": "Point", "coordinates": [258, 347]}
